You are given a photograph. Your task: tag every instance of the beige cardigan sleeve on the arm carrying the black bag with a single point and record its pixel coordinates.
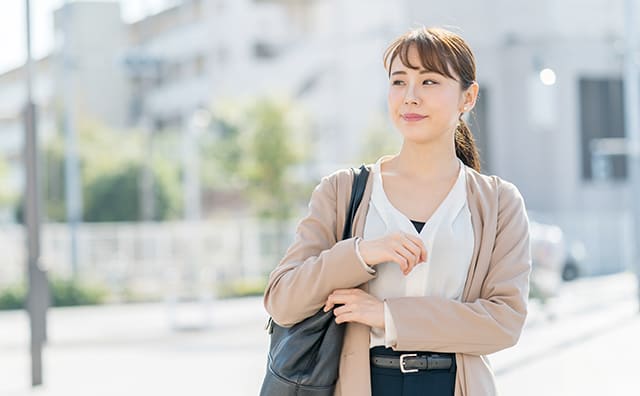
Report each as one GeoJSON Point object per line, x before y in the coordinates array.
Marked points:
{"type": "Point", "coordinates": [316, 263]}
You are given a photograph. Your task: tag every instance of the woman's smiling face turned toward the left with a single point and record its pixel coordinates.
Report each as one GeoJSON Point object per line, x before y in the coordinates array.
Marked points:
{"type": "Point", "coordinates": [424, 106]}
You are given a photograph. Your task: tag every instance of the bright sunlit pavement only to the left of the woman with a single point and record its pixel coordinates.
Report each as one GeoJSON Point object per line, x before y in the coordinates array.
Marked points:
{"type": "Point", "coordinates": [132, 350]}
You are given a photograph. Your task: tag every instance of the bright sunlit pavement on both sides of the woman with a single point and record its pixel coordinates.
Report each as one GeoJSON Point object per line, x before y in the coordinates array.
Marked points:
{"type": "Point", "coordinates": [133, 350]}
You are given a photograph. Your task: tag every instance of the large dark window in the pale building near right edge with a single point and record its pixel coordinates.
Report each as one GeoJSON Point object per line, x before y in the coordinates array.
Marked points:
{"type": "Point", "coordinates": [601, 116]}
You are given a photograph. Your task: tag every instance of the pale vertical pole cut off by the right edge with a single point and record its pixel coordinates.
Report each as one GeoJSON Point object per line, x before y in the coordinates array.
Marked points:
{"type": "Point", "coordinates": [632, 120]}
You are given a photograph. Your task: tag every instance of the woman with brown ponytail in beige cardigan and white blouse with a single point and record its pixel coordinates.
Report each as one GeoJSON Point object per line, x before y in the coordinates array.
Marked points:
{"type": "Point", "coordinates": [436, 276]}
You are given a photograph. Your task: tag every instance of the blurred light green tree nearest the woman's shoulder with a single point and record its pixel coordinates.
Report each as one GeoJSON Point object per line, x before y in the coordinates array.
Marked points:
{"type": "Point", "coordinates": [257, 147]}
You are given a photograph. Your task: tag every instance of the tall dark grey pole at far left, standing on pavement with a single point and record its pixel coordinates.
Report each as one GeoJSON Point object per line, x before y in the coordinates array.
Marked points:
{"type": "Point", "coordinates": [38, 285]}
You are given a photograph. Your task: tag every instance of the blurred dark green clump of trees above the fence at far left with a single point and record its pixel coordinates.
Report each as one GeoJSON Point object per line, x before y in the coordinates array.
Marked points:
{"type": "Point", "coordinates": [111, 164]}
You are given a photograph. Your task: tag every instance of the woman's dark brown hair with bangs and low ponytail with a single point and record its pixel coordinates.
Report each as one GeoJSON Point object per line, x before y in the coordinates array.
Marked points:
{"type": "Point", "coordinates": [441, 51]}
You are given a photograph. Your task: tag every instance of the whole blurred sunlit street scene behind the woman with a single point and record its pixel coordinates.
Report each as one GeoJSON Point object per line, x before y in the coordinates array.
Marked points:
{"type": "Point", "coordinates": [179, 141]}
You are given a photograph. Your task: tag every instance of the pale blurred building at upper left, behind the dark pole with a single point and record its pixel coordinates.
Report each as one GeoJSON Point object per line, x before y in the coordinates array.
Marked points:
{"type": "Point", "coordinates": [87, 75]}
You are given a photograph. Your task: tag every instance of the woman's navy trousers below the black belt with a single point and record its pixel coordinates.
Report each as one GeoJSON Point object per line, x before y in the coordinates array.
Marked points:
{"type": "Point", "coordinates": [392, 382]}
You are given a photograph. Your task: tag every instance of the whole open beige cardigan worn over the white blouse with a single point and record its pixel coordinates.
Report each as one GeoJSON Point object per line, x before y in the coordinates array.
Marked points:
{"type": "Point", "coordinates": [494, 301]}
